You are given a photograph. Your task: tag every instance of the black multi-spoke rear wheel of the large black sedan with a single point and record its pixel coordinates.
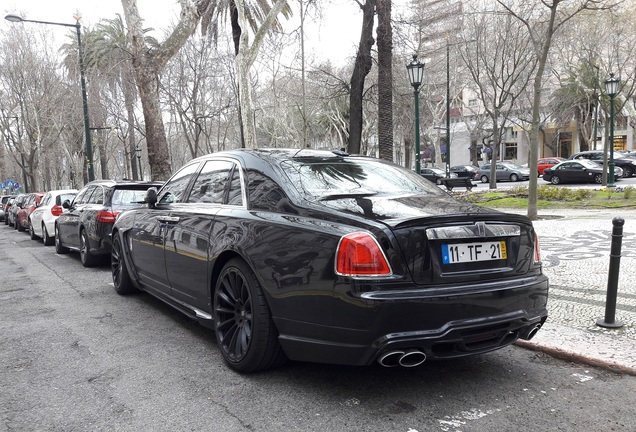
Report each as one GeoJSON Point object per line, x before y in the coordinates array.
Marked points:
{"type": "Point", "coordinates": [243, 324]}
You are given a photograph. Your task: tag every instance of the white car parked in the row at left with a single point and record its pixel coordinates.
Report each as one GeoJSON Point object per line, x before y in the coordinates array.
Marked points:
{"type": "Point", "coordinates": [43, 218]}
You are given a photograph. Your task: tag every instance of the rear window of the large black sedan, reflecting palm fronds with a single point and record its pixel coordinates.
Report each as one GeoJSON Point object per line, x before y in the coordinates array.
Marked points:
{"type": "Point", "coordinates": [352, 177]}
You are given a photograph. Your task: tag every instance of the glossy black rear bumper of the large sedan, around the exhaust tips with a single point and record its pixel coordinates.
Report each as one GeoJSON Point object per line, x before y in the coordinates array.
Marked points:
{"type": "Point", "coordinates": [438, 327]}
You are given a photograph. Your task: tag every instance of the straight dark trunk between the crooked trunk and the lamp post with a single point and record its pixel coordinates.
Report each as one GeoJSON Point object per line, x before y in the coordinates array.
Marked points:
{"type": "Point", "coordinates": [385, 80]}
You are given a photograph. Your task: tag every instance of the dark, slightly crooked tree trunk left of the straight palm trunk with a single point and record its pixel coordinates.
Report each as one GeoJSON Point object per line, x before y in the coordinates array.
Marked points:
{"type": "Point", "coordinates": [361, 69]}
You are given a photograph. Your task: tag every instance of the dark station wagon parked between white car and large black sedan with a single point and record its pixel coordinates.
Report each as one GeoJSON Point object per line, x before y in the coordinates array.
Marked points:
{"type": "Point", "coordinates": [87, 224]}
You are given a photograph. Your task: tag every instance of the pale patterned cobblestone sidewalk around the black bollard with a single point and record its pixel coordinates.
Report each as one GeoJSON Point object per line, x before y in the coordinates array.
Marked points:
{"type": "Point", "coordinates": [575, 249]}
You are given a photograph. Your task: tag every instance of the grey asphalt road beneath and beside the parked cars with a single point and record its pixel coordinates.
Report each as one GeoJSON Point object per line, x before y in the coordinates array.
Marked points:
{"type": "Point", "coordinates": [75, 356]}
